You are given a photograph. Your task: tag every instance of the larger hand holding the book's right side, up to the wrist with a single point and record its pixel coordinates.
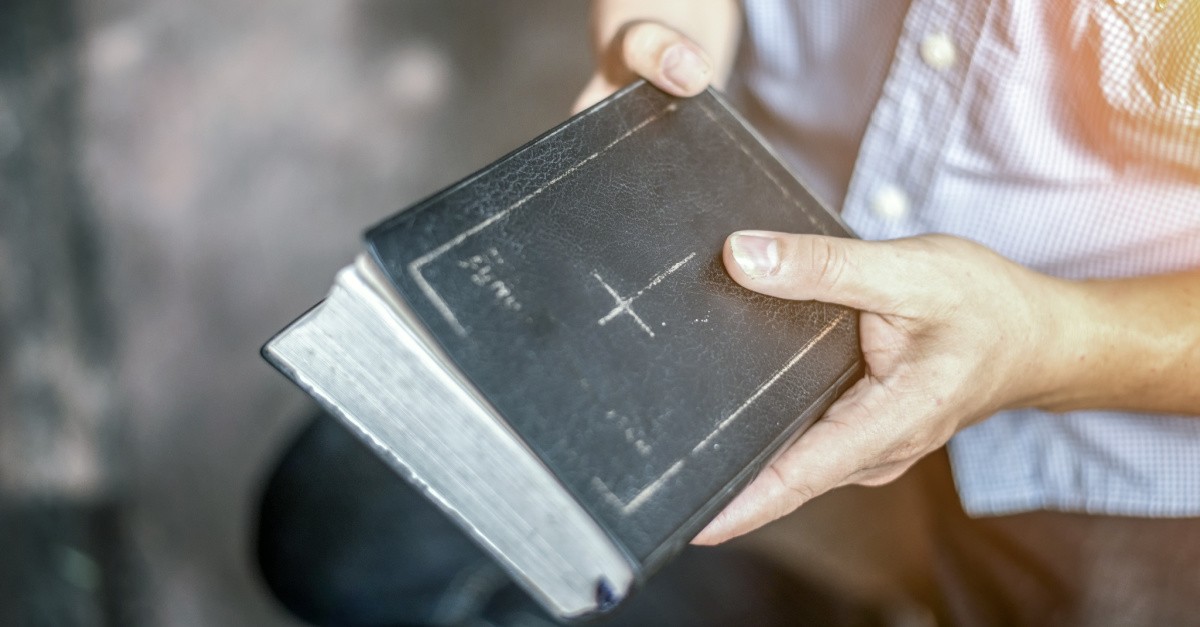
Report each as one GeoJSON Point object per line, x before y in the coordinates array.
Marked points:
{"type": "Point", "coordinates": [951, 332]}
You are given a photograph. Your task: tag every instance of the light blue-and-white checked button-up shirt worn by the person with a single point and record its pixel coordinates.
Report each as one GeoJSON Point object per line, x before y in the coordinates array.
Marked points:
{"type": "Point", "coordinates": [1064, 135]}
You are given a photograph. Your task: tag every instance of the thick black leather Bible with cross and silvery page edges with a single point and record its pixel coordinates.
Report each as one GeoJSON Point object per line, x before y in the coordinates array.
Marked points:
{"type": "Point", "coordinates": [553, 351]}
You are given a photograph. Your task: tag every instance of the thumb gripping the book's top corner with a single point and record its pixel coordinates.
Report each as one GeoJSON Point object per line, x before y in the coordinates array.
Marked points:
{"type": "Point", "coordinates": [667, 58]}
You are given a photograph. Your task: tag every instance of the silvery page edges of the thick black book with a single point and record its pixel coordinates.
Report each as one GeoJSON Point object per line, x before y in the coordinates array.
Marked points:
{"type": "Point", "coordinates": [359, 356]}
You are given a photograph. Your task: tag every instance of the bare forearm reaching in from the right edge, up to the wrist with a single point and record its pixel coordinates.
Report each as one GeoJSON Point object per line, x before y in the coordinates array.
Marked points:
{"type": "Point", "coordinates": [1131, 344]}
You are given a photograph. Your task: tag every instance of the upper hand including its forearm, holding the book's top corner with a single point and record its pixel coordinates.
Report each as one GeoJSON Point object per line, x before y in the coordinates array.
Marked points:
{"type": "Point", "coordinates": [635, 40]}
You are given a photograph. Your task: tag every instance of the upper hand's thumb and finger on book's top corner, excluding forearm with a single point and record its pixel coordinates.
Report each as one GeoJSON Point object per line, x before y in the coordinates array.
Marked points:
{"type": "Point", "coordinates": [652, 51]}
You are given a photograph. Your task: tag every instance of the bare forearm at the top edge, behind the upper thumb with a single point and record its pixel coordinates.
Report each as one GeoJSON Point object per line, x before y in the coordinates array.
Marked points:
{"type": "Point", "coordinates": [713, 25]}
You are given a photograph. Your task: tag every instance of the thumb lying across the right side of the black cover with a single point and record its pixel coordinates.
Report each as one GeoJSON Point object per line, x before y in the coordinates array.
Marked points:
{"type": "Point", "coordinates": [868, 276]}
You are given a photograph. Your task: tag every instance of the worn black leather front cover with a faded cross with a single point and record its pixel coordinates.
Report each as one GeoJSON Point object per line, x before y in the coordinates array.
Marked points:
{"type": "Point", "coordinates": [578, 284]}
